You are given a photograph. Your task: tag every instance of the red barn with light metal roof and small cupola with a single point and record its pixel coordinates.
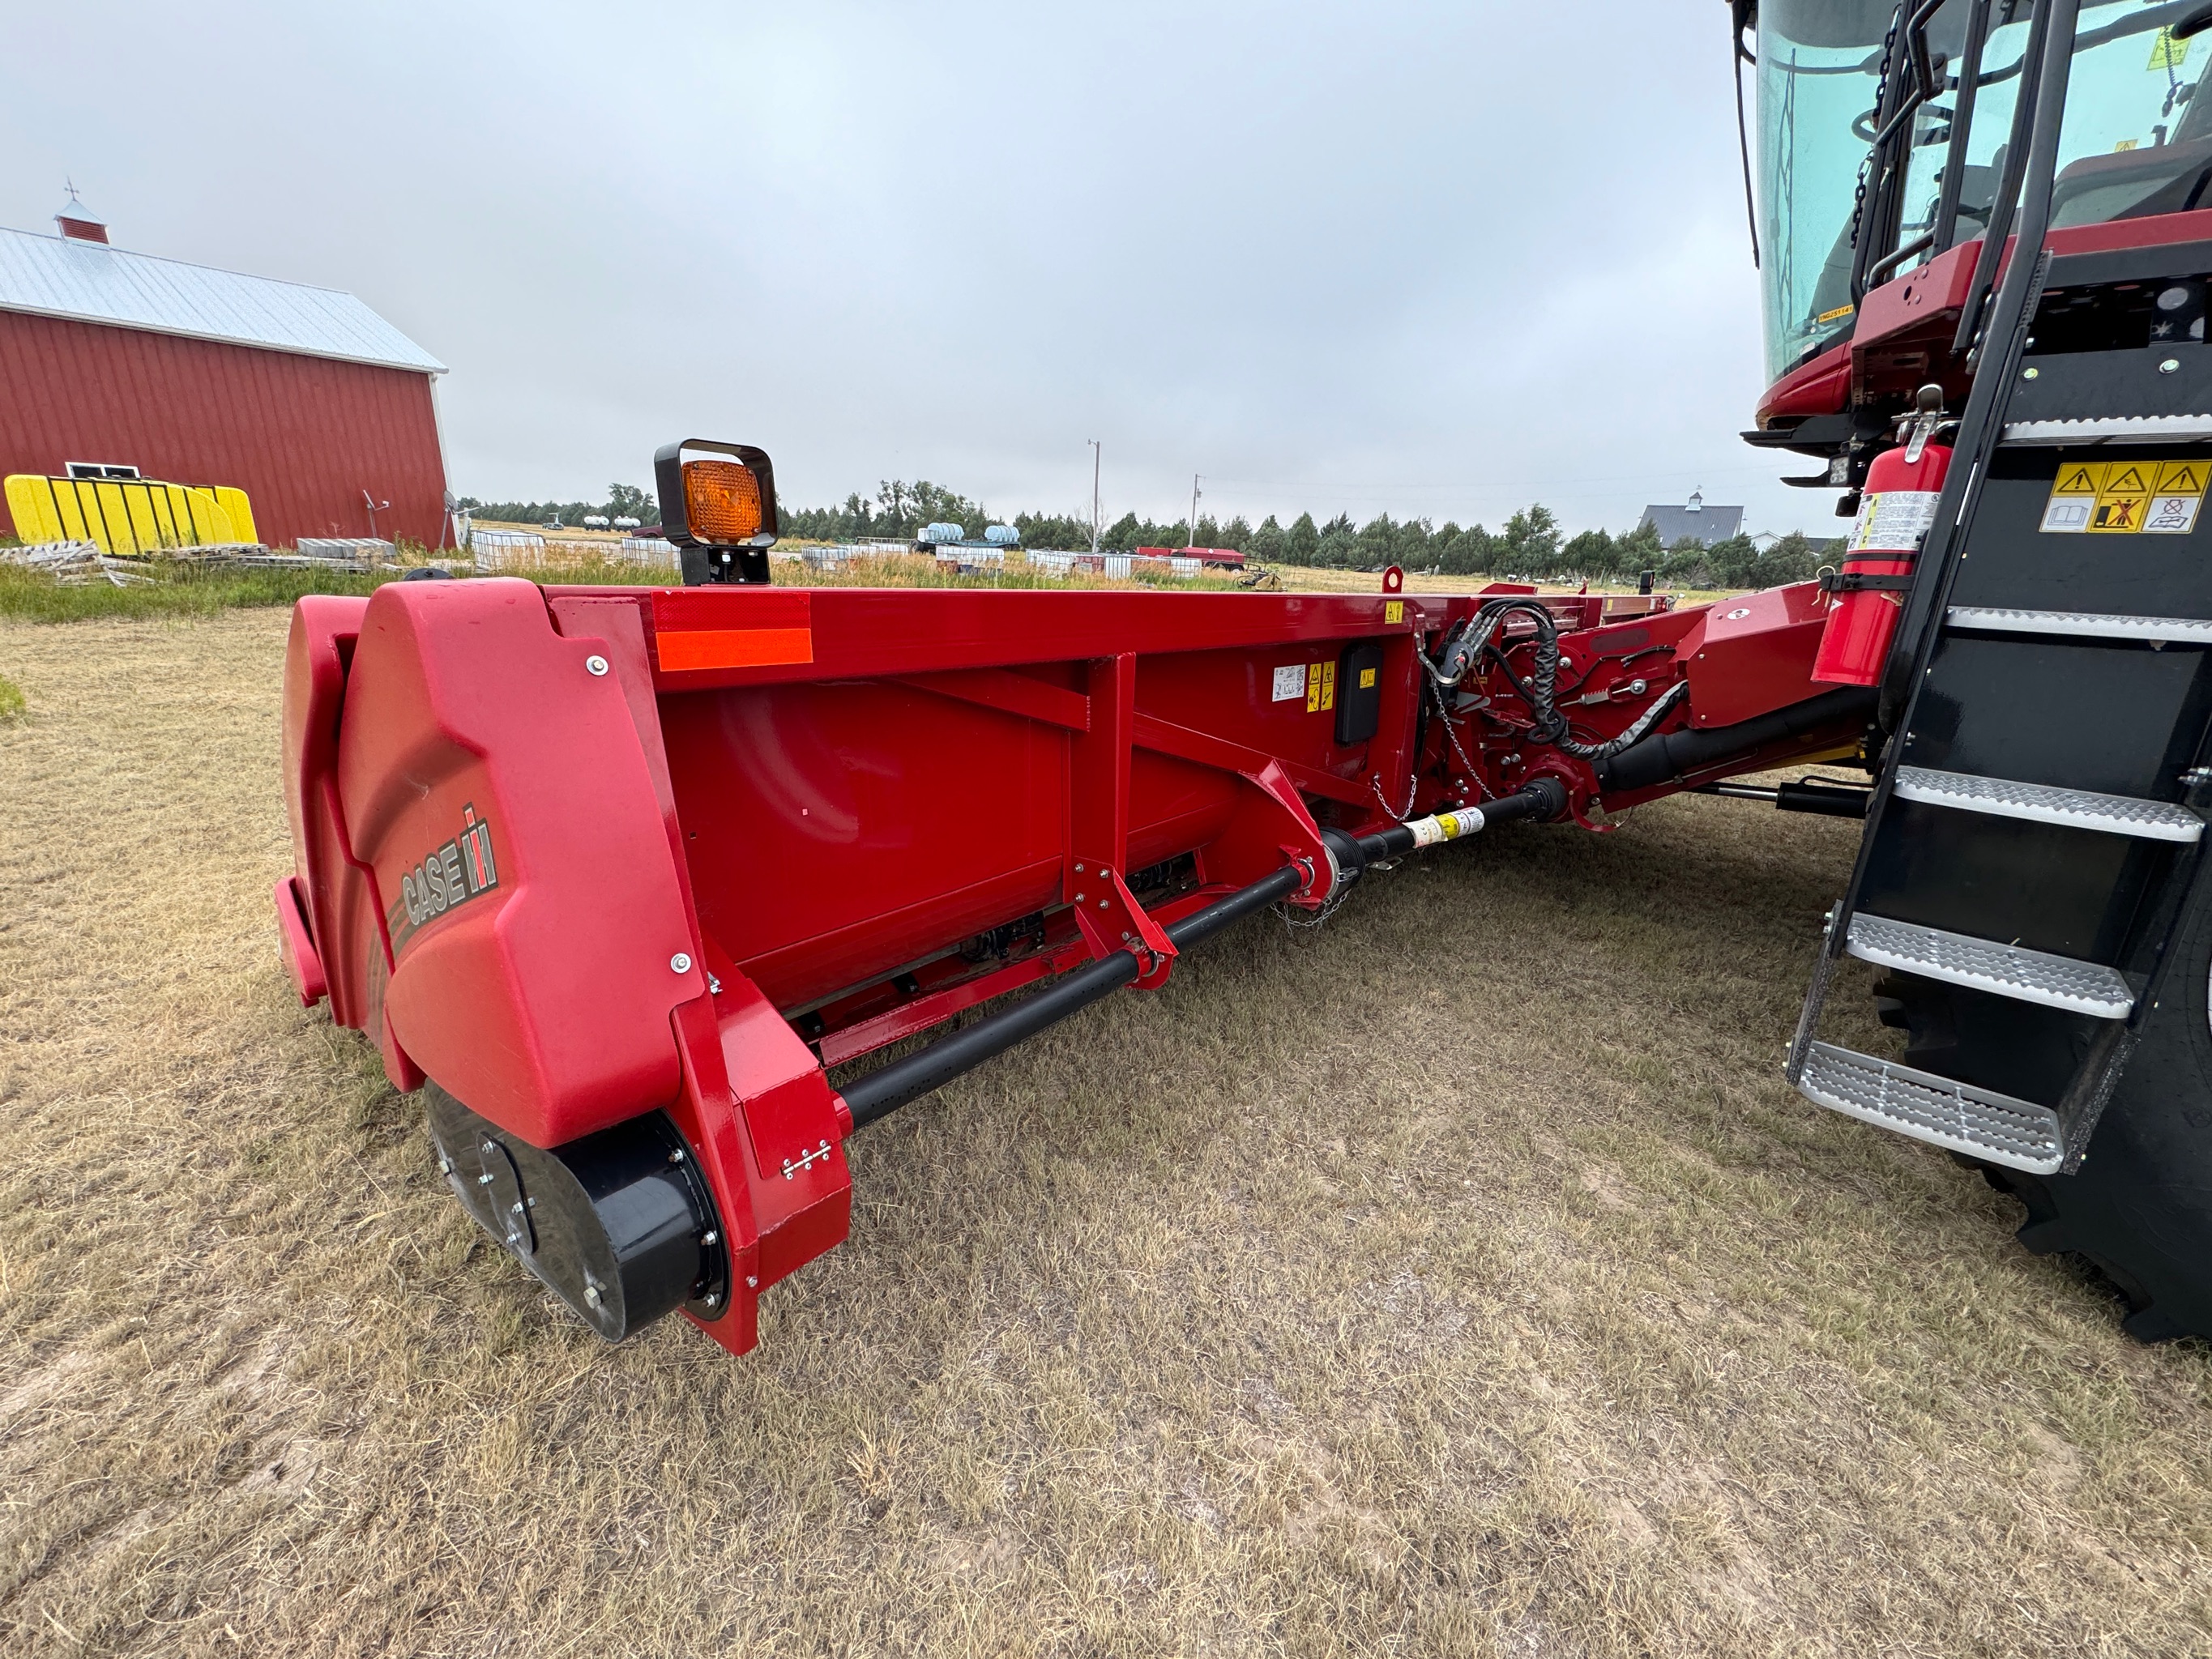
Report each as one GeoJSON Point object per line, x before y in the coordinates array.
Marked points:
{"type": "Point", "coordinates": [302, 397]}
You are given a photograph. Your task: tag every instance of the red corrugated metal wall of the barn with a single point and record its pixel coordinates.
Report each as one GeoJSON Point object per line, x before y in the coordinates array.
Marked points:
{"type": "Point", "coordinates": [302, 437]}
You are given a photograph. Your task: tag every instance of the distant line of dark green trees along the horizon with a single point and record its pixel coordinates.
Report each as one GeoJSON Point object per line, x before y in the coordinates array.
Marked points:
{"type": "Point", "coordinates": [1530, 545]}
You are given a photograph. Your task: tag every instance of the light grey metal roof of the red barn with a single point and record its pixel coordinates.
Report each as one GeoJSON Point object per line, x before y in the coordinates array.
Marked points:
{"type": "Point", "coordinates": [94, 284]}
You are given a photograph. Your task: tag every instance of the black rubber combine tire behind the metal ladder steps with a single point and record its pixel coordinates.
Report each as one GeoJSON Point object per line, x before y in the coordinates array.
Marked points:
{"type": "Point", "coordinates": [2142, 1204]}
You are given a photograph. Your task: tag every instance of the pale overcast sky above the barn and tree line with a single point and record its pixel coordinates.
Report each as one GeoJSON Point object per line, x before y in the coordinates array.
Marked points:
{"type": "Point", "coordinates": [1430, 260]}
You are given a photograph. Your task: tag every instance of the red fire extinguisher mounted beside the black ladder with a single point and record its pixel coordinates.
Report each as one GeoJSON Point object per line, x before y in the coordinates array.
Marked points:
{"type": "Point", "coordinates": [1895, 517]}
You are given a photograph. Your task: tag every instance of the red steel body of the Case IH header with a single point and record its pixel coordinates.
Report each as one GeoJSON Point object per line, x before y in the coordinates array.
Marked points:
{"type": "Point", "coordinates": [589, 853]}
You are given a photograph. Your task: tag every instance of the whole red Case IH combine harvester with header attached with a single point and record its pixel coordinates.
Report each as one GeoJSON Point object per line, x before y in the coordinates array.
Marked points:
{"type": "Point", "coordinates": [618, 877]}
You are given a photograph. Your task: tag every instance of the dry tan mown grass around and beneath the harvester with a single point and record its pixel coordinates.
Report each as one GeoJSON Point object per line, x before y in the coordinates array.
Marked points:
{"type": "Point", "coordinates": [1457, 1282]}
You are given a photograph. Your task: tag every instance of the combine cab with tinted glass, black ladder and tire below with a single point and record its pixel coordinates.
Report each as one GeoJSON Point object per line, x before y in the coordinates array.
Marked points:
{"type": "Point", "coordinates": [2003, 209]}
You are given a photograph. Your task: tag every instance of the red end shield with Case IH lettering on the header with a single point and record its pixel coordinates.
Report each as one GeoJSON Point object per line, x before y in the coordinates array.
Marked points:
{"type": "Point", "coordinates": [497, 786]}
